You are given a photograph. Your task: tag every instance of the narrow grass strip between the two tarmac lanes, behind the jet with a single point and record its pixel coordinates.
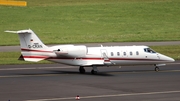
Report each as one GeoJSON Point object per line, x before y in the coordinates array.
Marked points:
{"type": "Point", "coordinates": [12, 57]}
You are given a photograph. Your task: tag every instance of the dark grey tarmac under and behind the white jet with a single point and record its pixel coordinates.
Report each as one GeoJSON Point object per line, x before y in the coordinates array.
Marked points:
{"type": "Point", "coordinates": [57, 82]}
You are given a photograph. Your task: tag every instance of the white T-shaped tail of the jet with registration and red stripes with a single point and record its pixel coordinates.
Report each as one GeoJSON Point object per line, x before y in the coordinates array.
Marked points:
{"type": "Point", "coordinates": [32, 48]}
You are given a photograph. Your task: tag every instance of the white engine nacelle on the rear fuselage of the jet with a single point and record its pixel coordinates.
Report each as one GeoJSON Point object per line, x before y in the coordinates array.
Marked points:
{"type": "Point", "coordinates": [72, 51]}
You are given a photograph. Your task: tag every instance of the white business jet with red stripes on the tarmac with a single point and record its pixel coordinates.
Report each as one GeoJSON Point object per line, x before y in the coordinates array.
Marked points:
{"type": "Point", "coordinates": [34, 50]}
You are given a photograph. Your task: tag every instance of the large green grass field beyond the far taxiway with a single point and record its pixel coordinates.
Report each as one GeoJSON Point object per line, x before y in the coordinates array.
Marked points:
{"type": "Point", "coordinates": [84, 21]}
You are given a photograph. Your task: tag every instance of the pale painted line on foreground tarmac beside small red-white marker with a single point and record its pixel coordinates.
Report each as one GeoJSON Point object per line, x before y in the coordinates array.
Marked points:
{"type": "Point", "coordinates": [103, 96]}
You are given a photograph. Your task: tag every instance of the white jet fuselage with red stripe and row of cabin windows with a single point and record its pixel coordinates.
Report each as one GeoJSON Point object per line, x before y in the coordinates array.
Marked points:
{"type": "Point", "coordinates": [115, 55]}
